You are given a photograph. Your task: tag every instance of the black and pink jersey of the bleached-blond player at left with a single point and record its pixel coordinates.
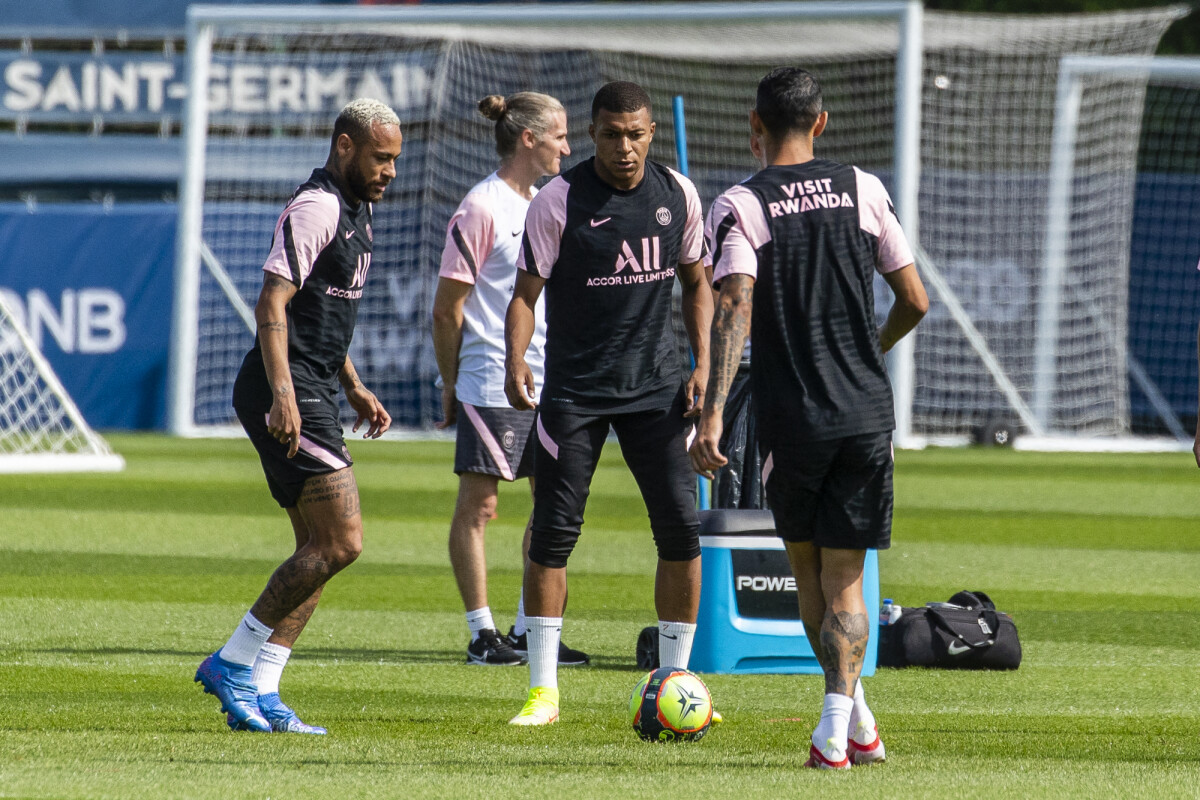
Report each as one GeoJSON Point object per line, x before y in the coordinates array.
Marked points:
{"type": "Point", "coordinates": [322, 244]}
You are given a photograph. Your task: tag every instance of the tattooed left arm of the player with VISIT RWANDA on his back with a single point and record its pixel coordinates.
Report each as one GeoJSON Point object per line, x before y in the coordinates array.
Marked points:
{"type": "Point", "coordinates": [731, 326]}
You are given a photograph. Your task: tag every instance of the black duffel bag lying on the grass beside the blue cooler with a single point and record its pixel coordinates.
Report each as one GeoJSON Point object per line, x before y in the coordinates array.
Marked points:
{"type": "Point", "coordinates": [965, 634]}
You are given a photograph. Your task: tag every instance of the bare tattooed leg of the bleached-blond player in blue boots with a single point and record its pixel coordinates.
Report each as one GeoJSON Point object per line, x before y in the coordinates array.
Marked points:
{"type": "Point", "coordinates": [329, 508]}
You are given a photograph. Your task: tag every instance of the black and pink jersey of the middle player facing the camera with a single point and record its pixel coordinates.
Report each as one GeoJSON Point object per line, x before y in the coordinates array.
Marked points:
{"type": "Point", "coordinates": [609, 258]}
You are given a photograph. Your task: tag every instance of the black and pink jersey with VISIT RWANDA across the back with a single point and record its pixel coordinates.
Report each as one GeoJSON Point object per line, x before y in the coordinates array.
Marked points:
{"type": "Point", "coordinates": [813, 236]}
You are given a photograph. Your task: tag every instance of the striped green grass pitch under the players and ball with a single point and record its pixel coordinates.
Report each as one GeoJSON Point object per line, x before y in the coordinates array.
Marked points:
{"type": "Point", "coordinates": [115, 587]}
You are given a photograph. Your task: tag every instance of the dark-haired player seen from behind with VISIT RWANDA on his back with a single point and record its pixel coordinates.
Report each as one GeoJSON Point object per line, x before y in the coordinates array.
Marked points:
{"type": "Point", "coordinates": [799, 244]}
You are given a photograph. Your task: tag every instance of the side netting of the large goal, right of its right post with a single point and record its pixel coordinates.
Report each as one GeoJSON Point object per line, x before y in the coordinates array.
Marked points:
{"type": "Point", "coordinates": [1052, 315]}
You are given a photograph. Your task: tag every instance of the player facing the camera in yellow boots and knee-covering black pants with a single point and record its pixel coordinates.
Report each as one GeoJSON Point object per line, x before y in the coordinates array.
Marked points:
{"type": "Point", "coordinates": [607, 240]}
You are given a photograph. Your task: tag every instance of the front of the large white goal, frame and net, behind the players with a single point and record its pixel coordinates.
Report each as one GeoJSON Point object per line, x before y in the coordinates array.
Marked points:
{"type": "Point", "coordinates": [248, 145]}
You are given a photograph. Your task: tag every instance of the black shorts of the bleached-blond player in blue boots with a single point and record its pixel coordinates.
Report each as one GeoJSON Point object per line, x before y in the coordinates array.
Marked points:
{"type": "Point", "coordinates": [322, 449]}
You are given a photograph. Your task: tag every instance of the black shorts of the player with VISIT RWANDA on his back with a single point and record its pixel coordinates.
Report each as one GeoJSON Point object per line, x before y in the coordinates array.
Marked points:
{"type": "Point", "coordinates": [836, 494]}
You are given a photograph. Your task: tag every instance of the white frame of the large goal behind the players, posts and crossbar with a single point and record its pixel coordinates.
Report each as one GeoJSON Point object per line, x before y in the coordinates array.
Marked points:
{"type": "Point", "coordinates": [203, 21]}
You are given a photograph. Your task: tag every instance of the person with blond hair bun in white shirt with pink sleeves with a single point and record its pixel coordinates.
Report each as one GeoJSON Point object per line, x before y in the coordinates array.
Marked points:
{"type": "Point", "coordinates": [476, 282]}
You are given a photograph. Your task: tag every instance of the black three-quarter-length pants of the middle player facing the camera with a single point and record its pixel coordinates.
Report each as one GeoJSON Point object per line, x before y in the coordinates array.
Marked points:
{"type": "Point", "coordinates": [655, 444]}
